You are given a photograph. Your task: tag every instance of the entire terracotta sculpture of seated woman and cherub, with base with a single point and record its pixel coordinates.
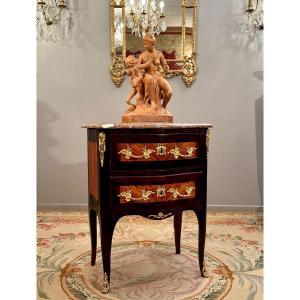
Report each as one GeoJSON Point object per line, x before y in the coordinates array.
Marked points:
{"type": "Point", "coordinates": [150, 89]}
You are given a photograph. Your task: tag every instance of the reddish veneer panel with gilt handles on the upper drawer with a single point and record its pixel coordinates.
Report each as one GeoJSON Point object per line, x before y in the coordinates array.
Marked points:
{"type": "Point", "coordinates": [132, 152]}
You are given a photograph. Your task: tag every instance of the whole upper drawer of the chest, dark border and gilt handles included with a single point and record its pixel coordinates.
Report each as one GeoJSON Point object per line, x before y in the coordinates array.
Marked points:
{"type": "Point", "coordinates": [142, 151]}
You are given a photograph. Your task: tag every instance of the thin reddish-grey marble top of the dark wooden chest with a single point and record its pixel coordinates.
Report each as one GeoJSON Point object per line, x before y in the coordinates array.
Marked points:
{"type": "Point", "coordinates": [146, 125]}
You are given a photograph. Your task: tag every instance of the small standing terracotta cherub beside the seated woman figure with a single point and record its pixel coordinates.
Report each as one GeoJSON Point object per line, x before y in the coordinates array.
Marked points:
{"type": "Point", "coordinates": [136, 81]}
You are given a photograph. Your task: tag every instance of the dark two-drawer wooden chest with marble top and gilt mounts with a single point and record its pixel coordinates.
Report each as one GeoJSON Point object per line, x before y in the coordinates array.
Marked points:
{"type": "Point", "coordinates": [153, 170]}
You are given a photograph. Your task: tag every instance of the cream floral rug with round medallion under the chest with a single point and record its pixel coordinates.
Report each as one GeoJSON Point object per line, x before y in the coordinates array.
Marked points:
{"type": "Point", "coordinates": [144, 264]}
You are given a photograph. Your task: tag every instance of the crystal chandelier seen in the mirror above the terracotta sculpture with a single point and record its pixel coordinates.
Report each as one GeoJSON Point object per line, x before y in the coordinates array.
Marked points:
{"type": "Point", "coordinates": [145, 17]}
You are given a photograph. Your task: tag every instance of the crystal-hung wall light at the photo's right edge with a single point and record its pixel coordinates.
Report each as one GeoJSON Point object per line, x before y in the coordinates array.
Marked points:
{"type": "Point", "coordinates": [254, 18]}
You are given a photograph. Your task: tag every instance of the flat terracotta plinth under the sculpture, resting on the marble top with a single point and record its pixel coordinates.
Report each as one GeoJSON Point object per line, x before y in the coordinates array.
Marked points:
{"type": "Point", "coordinates": [147, 118]}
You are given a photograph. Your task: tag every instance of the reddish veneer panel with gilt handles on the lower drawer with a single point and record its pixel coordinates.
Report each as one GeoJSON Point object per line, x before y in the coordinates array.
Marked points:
{"type": "Point", "coordinates": [157, 193]}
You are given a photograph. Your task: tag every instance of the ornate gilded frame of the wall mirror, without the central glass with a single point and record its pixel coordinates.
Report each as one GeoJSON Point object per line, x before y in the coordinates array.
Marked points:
{"type": "Point", "coordinates": [189, 69]}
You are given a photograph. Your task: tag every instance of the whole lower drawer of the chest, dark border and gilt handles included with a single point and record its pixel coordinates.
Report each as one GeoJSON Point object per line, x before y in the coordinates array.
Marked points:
{"type": "Point", "coordinates": [134, 194]}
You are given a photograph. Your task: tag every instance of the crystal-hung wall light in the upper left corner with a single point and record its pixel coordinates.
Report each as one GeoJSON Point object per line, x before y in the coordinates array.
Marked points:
{"type": "Point", "coordinates": [53, 21]}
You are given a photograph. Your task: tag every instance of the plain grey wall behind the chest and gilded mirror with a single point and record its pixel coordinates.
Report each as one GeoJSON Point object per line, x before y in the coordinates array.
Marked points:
{"type": "Point", "coordinates": [74, 87]}
